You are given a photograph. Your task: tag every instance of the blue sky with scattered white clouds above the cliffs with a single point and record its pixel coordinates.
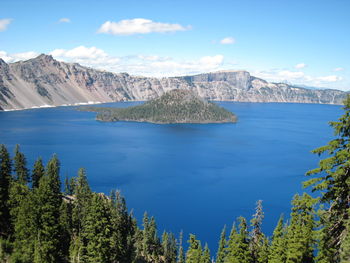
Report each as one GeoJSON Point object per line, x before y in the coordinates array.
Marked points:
{"type": "Point", "coordinates": [298, 42]}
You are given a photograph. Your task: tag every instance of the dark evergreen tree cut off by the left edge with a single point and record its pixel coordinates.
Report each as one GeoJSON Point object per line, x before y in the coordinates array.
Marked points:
{"type": "Point", "coordinates": [5, 179]}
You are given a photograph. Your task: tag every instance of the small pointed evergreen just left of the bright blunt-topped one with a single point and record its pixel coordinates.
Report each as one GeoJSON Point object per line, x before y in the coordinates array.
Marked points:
{"type": "Point", "coordinates": [278, 245]}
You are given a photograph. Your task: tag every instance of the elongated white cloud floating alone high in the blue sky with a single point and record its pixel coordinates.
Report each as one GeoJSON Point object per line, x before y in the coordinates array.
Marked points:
{"type": "Point", "coordinates": [138, 26]}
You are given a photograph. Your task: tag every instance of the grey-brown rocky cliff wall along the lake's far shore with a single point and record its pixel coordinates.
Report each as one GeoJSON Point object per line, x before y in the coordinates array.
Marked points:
{"type": "Point", "coordinates": [43, 81]}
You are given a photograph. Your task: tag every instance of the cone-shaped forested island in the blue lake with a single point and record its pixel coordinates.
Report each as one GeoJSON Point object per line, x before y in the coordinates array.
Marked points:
{"type": "Point", "coordinates": [175, 106]}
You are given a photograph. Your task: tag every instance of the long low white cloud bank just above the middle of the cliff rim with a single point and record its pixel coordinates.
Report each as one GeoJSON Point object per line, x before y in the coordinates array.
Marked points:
{"type": "Point", "coordinates": [147, 65]}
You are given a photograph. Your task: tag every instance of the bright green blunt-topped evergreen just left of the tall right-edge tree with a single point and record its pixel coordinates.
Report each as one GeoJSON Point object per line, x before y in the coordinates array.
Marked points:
{"type": "Point", "coordinates": [300, 235]}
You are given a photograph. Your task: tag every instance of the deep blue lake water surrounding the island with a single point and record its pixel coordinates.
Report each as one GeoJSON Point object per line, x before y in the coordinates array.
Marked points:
{"type": "Point", "coordinates": [195, 177]}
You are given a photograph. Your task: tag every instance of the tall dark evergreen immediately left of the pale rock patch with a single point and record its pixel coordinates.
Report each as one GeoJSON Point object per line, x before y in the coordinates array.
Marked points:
{"type": "Point", "coordinates": [47, 247]}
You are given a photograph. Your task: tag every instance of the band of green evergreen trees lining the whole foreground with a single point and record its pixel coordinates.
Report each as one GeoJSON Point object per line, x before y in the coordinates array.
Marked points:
{"type": "Point", "coordinates": [40, 223]}
